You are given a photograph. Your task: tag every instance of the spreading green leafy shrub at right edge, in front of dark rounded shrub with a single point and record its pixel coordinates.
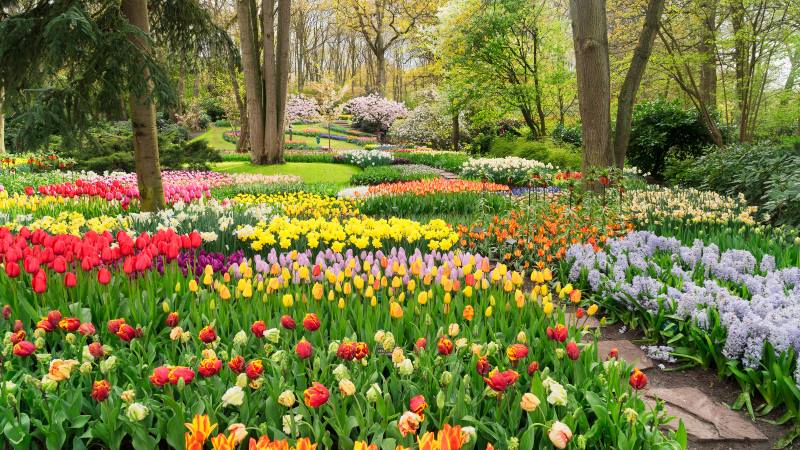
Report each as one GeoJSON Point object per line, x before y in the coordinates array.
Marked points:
{"type": "Point", "coordinates": [767, 174]}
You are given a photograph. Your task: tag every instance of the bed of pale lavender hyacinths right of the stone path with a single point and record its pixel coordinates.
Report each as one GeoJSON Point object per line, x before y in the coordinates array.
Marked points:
{"type": "Point", "coordinates": [756, 303]}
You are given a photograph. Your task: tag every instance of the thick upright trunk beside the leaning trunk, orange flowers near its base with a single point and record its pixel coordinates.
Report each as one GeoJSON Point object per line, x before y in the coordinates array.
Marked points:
{"type": "Point", "coordinates": [590, 39]}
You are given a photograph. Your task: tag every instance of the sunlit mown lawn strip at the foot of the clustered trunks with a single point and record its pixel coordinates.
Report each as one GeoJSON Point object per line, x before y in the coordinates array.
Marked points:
{"type": "Point", "coordinates": [309, 172]}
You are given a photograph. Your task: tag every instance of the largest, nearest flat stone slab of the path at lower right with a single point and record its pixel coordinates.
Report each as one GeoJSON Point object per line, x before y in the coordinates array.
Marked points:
{"type": "Point", "coordinates": [705, 419]}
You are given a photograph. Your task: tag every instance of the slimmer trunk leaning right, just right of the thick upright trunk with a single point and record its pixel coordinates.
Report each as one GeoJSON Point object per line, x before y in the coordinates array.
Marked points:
{"type": "Point", "coordinates": [633, 79]}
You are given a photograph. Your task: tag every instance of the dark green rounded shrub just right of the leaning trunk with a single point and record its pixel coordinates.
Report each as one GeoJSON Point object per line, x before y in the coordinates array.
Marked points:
{"type": "Point", "coordinates": [662, 129]}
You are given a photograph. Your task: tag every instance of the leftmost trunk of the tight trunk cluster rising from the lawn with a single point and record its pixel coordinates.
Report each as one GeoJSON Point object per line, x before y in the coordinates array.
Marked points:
{"type": "Point", "coordinates": [251, 66]}
